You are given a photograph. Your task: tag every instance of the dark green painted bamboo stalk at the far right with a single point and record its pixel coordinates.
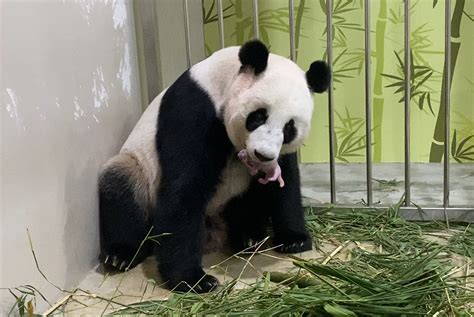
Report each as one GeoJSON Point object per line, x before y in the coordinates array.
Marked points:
{"type": "Point", "coordinates": [437, 145]}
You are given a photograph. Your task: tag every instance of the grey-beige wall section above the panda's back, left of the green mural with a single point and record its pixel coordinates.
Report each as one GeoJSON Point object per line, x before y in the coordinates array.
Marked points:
{"type": "Point", "coordinates": [161, 42]}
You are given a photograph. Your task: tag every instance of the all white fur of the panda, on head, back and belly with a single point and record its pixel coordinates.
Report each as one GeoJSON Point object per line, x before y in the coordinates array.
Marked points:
{"type": "Point", "coordinates": [281, 88]}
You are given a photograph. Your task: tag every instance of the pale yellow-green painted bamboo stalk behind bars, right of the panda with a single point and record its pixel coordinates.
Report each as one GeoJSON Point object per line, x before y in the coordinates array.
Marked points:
{"type": "Point", "coordinates": [378, 100]}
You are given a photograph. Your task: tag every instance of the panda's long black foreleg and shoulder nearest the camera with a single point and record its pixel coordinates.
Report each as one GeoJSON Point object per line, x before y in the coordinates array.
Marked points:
{"type": "Point", "coordinates": [193, 148]}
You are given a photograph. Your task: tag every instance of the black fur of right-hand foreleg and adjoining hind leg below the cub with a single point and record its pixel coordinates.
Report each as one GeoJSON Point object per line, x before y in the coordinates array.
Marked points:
{"type": "Point", "coordinates": [248, 216]}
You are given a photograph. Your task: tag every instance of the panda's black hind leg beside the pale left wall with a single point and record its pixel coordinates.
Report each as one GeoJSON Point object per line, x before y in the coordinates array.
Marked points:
{"type": "Point", "coordinates": [124, 220]}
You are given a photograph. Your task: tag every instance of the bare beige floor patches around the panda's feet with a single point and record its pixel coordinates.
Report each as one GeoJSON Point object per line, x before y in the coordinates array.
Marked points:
{"type": "Point", "coordinates": [143, 282]}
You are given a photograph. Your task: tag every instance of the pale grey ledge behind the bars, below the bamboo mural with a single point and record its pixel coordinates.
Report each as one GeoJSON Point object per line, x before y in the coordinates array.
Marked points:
{"type": "Point", "coordinates": [388, 184]}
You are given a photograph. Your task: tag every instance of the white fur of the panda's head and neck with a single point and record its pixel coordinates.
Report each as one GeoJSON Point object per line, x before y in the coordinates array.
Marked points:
{"type": "Point", "coordinates": [281, 88]}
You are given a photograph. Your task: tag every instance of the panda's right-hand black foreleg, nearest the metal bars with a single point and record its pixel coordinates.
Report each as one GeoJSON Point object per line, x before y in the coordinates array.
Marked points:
{"type": "Point", "coordinates": [286, 210]}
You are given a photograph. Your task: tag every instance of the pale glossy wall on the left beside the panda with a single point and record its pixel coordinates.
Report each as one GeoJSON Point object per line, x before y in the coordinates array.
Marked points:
{"type": "Point", "coordinates": [69, 98]}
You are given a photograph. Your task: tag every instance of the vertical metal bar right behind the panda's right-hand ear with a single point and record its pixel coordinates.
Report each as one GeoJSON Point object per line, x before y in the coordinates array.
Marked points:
{"type": "Point", "coordinates": [332, 163]}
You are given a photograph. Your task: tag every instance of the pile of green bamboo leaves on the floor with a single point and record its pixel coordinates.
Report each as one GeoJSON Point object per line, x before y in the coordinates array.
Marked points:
{"type": "Point", "coordinates": [409, 271]}
